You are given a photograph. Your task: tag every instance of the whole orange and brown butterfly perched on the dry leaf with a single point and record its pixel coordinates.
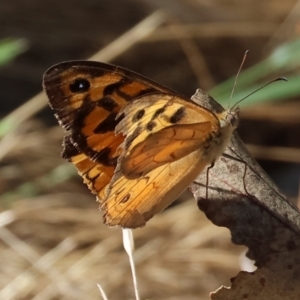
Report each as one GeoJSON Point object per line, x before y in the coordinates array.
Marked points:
{"type": "Point", "coordinates": [136, 144]}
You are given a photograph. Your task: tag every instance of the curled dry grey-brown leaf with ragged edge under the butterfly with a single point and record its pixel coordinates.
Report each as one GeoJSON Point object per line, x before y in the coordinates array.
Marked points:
{"type": "Point", "coordinates": [243, 198]}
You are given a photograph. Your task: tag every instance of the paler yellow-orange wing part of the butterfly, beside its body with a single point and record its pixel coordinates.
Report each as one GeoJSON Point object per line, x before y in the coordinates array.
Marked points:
{"type": "Point", "coordinates": [158, 162]}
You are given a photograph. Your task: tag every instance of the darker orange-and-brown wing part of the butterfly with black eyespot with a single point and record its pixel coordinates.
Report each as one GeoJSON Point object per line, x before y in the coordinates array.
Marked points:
{"type": "Point", "coordinates": [86, 98]}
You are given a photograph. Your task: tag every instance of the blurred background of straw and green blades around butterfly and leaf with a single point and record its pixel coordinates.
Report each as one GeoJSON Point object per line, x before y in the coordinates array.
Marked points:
{"type": "Point", "coordinates": [53, 244]}
